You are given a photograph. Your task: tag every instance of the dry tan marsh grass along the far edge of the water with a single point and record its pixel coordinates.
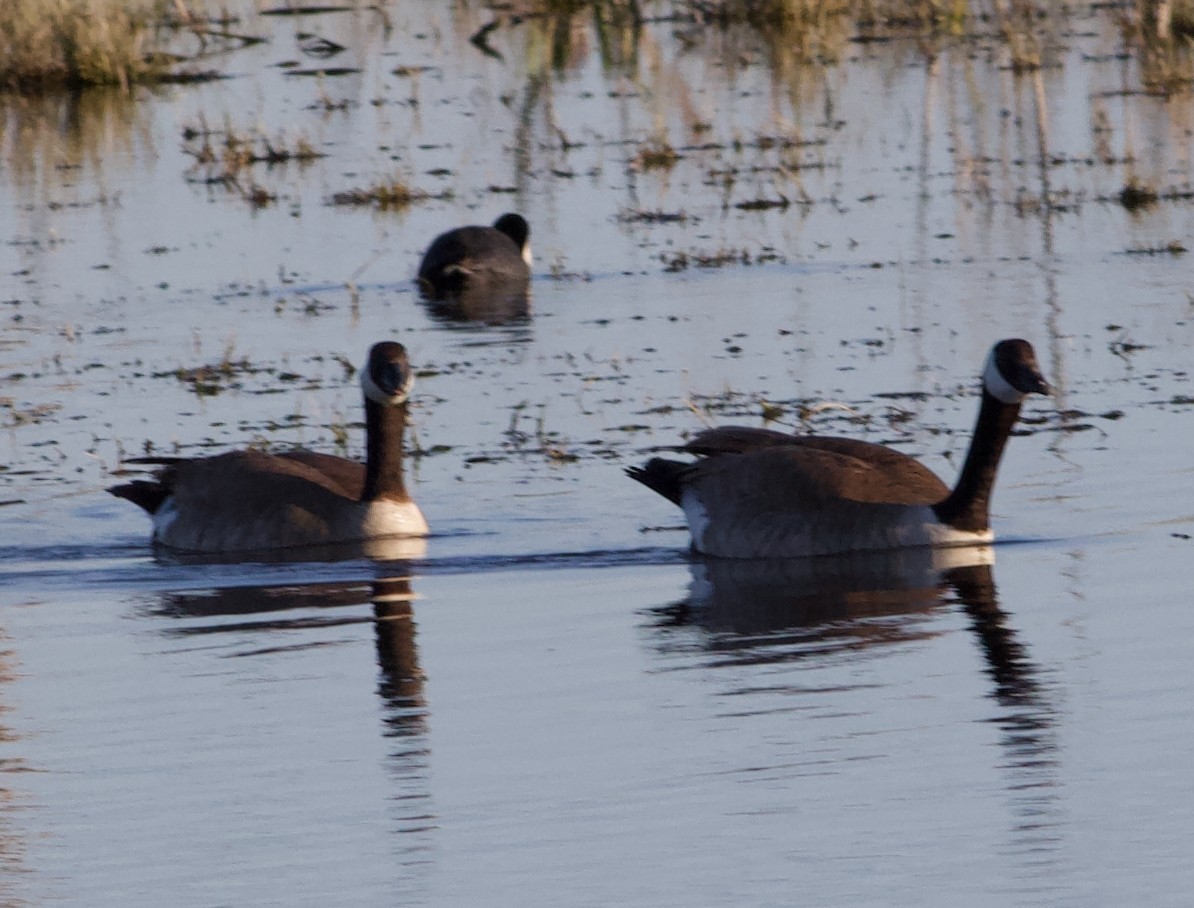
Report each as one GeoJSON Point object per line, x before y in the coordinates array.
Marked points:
{"type": "Point", "coordinates": [56, 45]}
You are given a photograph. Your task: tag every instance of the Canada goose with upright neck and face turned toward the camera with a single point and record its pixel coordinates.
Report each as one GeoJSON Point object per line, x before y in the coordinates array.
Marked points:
{"type": "Point", "coordinates": [247, 501]}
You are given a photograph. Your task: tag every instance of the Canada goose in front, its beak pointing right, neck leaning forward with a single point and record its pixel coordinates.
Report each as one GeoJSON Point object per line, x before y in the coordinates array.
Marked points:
{"type": "Point", "coordinates": [760, 494]}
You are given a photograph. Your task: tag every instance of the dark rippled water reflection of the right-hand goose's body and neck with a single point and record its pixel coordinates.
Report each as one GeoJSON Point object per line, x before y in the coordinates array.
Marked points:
{"type": "Point", "coordinates": [810, 611]}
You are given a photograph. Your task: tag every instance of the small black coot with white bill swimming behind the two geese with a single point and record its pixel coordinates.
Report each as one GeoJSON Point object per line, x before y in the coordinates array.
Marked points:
{"type": "Point", "coordinates": [478, 256]}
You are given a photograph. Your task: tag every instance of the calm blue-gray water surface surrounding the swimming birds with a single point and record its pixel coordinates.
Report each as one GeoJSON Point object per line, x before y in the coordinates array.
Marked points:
{"type": "Point", "coordinates": [552, 704]}
